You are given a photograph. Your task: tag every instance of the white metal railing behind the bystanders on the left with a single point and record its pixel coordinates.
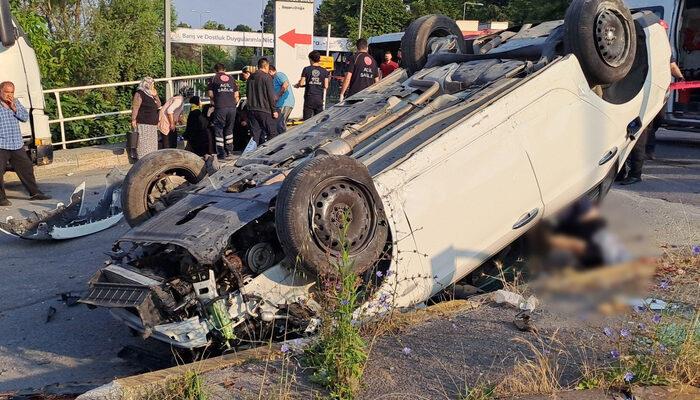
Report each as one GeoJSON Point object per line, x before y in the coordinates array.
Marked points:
{"type": "Point", "coordinates": [175, 83]}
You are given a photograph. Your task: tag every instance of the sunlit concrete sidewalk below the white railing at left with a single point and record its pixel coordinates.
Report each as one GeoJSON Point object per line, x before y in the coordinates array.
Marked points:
{"type": "Point", "coordinates": [80, 160]}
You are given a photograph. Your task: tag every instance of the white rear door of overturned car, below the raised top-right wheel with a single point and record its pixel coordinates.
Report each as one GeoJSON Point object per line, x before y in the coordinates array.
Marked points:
{"type": "Point", "coordinates": [571, 143]}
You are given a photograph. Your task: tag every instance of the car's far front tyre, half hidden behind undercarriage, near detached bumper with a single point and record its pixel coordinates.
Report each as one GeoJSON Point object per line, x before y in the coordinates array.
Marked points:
{"type": "Point", "coordinates": [171, 168]}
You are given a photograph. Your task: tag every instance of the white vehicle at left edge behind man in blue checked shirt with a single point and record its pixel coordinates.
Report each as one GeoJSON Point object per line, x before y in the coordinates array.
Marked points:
{"type": "Point", "coordinates": [20, 66]}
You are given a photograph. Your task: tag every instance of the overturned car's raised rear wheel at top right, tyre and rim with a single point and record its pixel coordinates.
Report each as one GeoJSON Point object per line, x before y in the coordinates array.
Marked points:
{"type": "Point", "coordinates": [601, 34]}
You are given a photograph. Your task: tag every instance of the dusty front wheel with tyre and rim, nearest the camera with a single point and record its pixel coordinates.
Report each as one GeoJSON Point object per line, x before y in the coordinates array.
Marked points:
{"type": "Point", "coordinates": [309, 209]}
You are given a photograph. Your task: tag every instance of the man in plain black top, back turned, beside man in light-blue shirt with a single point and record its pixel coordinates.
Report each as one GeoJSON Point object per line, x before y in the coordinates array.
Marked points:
{"type": "Point", "coordinates": [262, 104]}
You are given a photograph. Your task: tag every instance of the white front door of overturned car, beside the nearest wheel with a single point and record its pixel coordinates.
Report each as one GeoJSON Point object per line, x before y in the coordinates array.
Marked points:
{"type": "Point", "coordinates": [460, 199]}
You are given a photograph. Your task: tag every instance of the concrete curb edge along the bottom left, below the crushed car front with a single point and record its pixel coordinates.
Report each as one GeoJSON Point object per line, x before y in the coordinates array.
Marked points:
{"type": "Point", "coordinates": [135, 386]}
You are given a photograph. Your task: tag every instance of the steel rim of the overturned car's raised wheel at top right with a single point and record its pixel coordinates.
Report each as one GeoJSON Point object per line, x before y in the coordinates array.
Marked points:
{"type": "Point", "coordinates": [612, 37]}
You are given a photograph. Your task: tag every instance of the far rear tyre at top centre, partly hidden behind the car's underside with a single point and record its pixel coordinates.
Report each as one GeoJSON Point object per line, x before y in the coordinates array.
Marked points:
{"type": "Point", "coordinates": [415, 42]}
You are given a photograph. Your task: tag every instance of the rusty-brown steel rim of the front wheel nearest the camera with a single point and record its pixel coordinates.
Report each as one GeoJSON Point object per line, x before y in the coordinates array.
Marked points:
{"type": "Point", "coordinates": [338, 201]}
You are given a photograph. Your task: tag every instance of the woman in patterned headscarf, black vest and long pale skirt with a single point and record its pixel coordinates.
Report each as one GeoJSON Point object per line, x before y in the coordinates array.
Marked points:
{"type": "Point", "coordinates": [144, 116]}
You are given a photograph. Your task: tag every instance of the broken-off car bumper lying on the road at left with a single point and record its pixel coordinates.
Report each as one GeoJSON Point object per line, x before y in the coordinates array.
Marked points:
{"type": "Point", "coordinates": [72, 221]}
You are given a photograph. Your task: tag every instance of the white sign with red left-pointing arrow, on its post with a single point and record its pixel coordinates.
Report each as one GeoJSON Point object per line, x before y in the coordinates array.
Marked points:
{"type": "Point", "coordinates": [294, 28]}
